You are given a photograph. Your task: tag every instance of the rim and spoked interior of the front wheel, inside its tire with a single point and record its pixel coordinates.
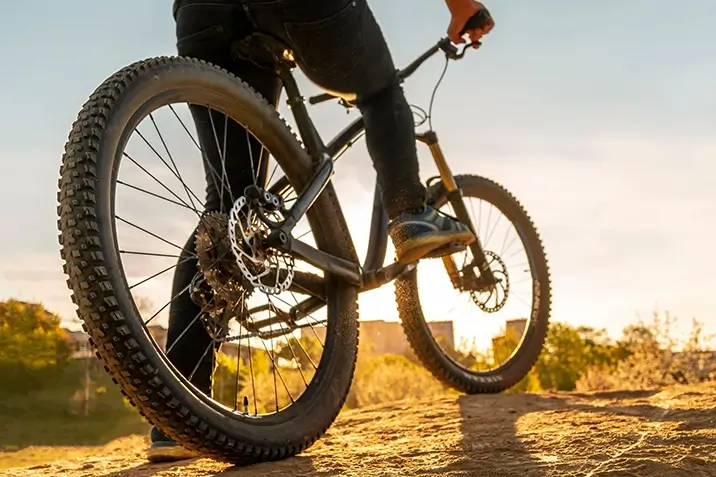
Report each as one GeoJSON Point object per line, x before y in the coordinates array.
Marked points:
{"type": "Point", "coordinates": [501, 341]}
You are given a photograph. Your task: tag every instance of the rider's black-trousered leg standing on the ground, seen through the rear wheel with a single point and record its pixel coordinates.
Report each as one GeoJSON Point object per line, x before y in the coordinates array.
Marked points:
{"type": "Point", "coordinates": [191, 346]}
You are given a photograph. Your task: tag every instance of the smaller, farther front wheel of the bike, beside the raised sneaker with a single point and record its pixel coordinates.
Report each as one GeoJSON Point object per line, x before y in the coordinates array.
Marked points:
{"type": "Point", "coordinates": [466, 367]}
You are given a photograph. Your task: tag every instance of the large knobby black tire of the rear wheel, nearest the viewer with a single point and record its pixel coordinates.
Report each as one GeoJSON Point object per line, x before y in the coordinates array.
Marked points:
{"type": "Point", "coordinates": [104, 302]}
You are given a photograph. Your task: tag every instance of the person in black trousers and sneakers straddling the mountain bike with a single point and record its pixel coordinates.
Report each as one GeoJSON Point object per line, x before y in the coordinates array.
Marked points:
{"type": "Point", "coordinates": [339, 46]}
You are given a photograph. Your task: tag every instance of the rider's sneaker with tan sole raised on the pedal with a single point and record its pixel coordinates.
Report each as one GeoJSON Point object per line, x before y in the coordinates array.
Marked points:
{"type": "Point", "coordinates": [429, 233]}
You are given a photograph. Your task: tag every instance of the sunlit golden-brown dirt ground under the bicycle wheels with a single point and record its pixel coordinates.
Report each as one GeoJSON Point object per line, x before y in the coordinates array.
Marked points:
{"type": "Point", "coordinates": [657, 433]}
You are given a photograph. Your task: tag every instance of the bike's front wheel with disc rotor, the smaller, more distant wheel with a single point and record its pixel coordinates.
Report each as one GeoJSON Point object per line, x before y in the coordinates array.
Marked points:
{"type": "Point", "coordinates": [498, 355]}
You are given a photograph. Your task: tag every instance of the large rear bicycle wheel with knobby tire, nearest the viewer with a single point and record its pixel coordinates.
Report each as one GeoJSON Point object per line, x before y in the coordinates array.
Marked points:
{"type": "Point", "coordinates": [232, 422]}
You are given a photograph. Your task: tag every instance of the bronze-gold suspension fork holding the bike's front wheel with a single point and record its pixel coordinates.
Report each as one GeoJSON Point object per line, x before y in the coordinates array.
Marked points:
{"type": "Point", "coordinates": [454, 196]}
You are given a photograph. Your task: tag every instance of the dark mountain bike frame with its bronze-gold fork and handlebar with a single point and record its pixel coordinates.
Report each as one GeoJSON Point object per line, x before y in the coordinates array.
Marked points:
{"type": "Point", "coordinates": [372, 274]}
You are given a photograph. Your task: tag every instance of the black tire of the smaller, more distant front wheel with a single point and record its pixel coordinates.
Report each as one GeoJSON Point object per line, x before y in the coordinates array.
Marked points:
{"type": "Point", "coordinates": [429, 352]}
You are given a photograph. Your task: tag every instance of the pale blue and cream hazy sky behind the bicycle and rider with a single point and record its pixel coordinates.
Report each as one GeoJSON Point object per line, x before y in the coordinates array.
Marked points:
{"type": "Point", "coordinates": [598, 116]}
